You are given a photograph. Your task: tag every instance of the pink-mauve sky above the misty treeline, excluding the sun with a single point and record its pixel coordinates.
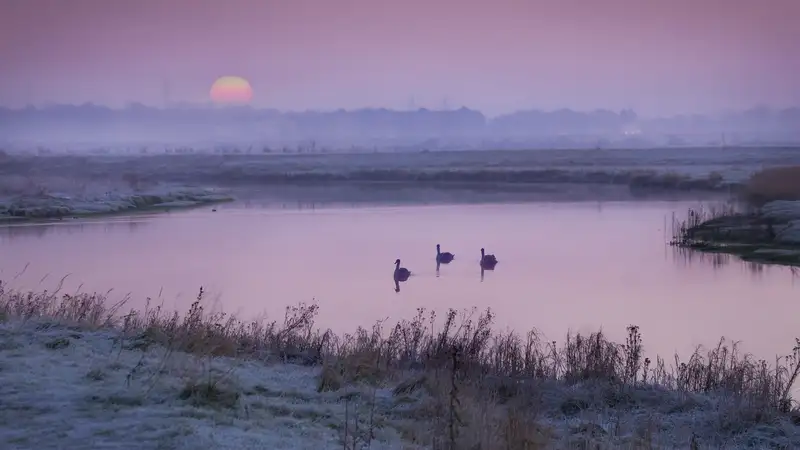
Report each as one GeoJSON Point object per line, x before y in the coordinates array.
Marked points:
{"type": "Point", "coordinates": [655, 56]}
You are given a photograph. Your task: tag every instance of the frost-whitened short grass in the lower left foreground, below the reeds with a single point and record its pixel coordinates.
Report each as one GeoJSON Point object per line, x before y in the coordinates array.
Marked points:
{"type": "Point", "coordinates": [74, 387]}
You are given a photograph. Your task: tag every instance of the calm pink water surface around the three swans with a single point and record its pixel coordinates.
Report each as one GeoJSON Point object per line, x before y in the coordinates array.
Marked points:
{"type": "Point", "coordinates": [577, 266]}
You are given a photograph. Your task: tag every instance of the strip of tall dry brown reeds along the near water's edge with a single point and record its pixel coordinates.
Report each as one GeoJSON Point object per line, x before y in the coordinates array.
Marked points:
{"type": "Point", "coordinates": [421, 343]}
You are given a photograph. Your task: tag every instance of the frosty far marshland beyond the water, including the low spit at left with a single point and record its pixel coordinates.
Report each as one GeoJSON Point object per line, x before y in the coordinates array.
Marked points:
{"type": "Point", "coordinates": [72, 181]}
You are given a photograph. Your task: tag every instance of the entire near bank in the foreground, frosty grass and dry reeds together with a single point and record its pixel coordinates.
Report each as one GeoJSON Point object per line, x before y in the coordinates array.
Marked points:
{"type": "Point", "coordinates": [78, 373]}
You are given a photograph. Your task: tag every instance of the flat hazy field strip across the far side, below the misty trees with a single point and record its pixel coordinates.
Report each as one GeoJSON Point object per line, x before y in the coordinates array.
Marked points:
{"type": "Point", "coordinates": [695, 169]}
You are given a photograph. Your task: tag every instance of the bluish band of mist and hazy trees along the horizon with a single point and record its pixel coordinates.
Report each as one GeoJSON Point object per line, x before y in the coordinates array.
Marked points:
{"type": "Point", "coordinates": [70, 127]}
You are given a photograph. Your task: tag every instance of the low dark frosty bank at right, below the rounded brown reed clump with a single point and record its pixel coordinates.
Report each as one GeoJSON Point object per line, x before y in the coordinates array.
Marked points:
{"type": "Point", "coordinates": [769, 234]}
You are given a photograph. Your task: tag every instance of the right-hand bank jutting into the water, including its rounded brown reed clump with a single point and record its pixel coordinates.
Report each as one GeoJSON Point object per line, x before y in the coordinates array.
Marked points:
{"type": "Point", "coordinates": [763, 227]}
